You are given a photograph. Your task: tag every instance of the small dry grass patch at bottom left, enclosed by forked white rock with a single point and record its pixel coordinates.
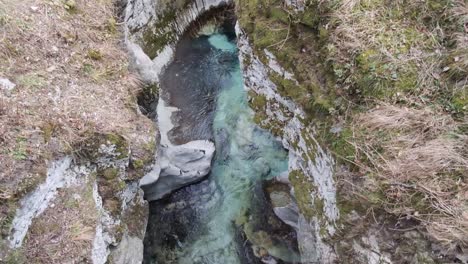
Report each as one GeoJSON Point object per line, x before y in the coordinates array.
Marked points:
{"type": "Point", "coordinates": [64, 233]}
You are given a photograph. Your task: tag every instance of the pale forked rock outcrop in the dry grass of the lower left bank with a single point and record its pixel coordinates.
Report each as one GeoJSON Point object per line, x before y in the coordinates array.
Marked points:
{"type": "Point", "coordinates": [65, 174]}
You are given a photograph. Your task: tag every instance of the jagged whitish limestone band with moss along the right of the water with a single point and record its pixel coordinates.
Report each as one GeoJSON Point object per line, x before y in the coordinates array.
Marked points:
{"type": "Point", "coordinates": [298, 139]}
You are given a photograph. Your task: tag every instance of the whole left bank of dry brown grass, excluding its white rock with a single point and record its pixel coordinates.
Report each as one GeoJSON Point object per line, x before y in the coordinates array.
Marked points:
{"type": "Point", "coordinates": [68, 85]}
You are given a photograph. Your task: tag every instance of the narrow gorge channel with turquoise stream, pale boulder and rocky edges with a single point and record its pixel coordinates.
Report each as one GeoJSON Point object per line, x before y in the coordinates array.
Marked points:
{"type": "Point", "coordinates": [239, 208]}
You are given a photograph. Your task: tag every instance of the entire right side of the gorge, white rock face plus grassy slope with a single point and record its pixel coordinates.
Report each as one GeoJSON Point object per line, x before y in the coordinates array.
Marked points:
{"type": "Point", "coordinates": [355, 177]}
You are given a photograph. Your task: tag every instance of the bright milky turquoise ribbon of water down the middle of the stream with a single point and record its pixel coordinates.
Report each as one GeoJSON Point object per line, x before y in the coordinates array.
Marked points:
{"type": "Point", "coordinates": [253, 156]}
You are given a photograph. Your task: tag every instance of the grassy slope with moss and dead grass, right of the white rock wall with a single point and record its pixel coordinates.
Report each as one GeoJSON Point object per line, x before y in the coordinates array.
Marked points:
{"type": "Point", "coordinates": [392, 77]}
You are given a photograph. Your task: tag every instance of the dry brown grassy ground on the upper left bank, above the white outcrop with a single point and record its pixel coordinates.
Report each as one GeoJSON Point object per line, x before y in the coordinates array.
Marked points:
{"type": "Point", "coordinates": [72, 81]}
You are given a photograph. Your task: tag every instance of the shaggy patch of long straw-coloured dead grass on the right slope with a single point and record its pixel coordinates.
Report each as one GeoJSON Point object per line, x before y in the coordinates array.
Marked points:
{"type": "Point", "coordinates": [421, 167]}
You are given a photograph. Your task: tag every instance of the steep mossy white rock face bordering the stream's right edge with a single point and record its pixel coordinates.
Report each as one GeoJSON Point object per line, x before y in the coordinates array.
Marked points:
{"type": "Point", "coordinates": [310, 167]}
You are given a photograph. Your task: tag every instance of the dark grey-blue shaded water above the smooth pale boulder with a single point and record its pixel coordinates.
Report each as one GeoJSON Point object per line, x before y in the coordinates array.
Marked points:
{"type": "Point", "coordinates": [191, 83]}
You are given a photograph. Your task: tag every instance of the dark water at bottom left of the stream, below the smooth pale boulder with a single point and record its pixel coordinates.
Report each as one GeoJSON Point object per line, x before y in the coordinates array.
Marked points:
{"type": "Point", "coordinates": [178, 219]}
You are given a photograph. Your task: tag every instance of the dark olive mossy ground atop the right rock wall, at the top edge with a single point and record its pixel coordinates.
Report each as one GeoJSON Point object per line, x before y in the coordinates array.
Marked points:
{"type": "Point", "coordinates": [290, 37]}
